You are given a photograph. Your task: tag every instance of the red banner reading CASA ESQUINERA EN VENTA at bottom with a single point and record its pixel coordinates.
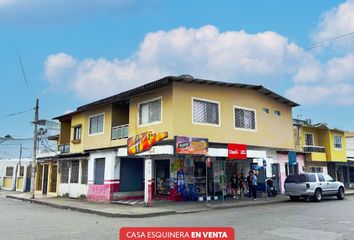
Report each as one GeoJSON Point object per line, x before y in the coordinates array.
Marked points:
{"type": "Point", "coordinates": [180, 233]}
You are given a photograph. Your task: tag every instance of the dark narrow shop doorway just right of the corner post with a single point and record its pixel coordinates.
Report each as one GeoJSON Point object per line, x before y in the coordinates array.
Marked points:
{"type": "Point", "coordinates": [162, 177]}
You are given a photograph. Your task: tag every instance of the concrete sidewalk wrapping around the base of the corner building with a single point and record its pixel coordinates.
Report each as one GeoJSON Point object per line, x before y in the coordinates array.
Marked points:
{"type": "Point", "coordinates": [159, 208]}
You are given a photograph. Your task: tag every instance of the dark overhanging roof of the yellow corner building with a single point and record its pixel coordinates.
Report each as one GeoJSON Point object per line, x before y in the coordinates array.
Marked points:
{"type": "Point", "coordinates": [124, 96]}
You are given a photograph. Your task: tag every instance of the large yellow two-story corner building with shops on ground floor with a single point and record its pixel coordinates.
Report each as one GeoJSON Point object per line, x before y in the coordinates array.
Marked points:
{"type": "Point", "coordinates": [93, 139]}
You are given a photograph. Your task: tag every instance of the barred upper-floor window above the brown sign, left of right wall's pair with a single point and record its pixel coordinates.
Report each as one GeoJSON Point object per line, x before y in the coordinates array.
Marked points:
{"type": "Point", "coordinates": [205, 112]}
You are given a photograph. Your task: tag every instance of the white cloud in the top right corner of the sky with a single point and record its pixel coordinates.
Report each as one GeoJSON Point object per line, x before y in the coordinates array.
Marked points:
{"type": "Point", "coordinates": [336, 22]}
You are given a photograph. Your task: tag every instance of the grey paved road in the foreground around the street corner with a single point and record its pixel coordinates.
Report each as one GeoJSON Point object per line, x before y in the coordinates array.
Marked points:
{"type": "Point", "coordinates": [330, 219]}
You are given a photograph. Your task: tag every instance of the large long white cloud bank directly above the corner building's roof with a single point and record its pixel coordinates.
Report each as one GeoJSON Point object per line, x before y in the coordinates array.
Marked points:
{"type": "Point", "coordinates": [204, 52]}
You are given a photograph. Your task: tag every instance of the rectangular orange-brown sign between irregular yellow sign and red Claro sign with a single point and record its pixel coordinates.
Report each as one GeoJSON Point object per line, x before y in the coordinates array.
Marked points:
{"type": "Point", "coordinates": [192, 146]}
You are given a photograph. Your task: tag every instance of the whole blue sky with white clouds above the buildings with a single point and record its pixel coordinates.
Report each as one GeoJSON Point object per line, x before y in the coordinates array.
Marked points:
{"type": "Point", "coordinates": [69, 53]}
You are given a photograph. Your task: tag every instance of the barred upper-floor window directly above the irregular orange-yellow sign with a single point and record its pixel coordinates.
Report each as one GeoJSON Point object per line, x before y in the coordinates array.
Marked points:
{"type": "Point", "coordinates": [150, 112]}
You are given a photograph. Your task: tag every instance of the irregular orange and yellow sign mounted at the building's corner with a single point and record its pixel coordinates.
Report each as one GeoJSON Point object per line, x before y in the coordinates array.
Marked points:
{"type": "Point", "coordinates": [144, 141]}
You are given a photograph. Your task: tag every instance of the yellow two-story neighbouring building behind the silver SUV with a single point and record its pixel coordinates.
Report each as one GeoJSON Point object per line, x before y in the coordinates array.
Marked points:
{"type": "Point", "coordinates": [324, 147]}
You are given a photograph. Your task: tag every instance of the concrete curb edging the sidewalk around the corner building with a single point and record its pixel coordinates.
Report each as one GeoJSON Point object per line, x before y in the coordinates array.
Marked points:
{"type": "Point", "coordinates": [155, 214]}
